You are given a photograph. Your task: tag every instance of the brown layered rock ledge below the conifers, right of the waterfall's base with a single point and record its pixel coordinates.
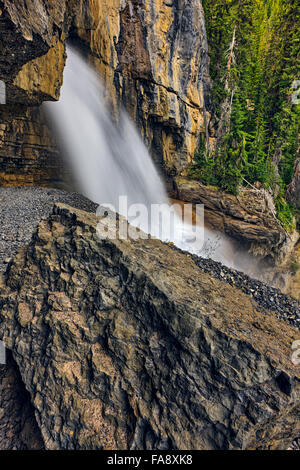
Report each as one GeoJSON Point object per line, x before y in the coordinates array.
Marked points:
{"type": "Point", "coordinates": [248, 218]}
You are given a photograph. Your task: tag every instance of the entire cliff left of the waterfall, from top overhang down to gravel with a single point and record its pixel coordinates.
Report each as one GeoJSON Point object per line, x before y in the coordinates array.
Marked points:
{"type": "Point", "coordinates": [32, 59]}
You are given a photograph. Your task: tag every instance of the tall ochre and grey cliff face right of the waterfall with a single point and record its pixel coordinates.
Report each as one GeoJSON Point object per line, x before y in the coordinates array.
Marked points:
{"type": "Point", "coordinates": [156, 65]}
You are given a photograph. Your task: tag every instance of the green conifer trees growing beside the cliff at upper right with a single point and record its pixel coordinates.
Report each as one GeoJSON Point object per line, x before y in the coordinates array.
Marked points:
{"type": "Point", "coordinates": [255, 76]}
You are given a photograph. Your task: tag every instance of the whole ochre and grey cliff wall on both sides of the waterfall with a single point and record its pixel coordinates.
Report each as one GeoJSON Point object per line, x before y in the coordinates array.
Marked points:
{"type": "Point", "coordinates": [151, 55]}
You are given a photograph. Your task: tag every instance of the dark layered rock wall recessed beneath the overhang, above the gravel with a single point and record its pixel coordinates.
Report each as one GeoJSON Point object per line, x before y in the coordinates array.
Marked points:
{"type": "Point", "coordinates": [28, 152]}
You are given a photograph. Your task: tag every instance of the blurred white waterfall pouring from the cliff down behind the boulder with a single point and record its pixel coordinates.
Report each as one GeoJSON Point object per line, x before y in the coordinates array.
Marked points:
{"type": "Point", "coordinates": [110, 160]}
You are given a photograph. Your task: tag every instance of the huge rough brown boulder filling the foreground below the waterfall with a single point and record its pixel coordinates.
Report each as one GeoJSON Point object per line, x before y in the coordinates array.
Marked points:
{"type": "Point", "coordinates": [127, 344]}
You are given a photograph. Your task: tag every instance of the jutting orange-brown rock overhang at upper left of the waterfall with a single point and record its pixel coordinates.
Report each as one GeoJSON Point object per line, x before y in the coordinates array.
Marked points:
{"type": "Point", "coordinates": [28, 30]}
